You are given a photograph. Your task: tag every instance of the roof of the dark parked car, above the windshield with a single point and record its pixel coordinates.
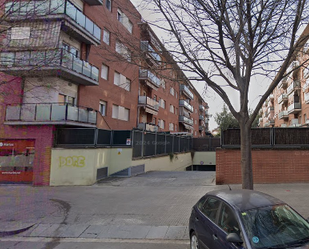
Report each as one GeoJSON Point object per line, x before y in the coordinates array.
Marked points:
{"type": "Point", "coordinates": [243, 199]}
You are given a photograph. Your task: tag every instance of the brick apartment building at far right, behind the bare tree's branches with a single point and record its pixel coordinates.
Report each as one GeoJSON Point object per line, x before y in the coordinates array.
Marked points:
{"type": "Point", "coordinates": [288, 105]}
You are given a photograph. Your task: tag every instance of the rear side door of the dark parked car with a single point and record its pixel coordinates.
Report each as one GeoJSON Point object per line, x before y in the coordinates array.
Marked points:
{"type": "Point", "coordinates": [205, 221]}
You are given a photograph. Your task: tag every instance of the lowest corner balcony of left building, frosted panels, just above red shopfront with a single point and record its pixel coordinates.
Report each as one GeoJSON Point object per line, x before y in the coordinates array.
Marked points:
{"type": "Point", "coordinates": [50, 114]}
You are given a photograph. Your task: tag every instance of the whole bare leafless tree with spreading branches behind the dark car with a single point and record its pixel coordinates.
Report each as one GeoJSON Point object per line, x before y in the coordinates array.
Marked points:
{"type": "Point", "coordinates": [225, 44]}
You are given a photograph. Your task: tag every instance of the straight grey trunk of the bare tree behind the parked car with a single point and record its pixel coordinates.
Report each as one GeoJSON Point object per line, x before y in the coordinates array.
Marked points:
{"type": "Point", "coordinates": [246, 158]}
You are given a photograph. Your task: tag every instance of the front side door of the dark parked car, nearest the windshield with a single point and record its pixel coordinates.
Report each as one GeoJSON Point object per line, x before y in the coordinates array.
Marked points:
{"type": "Point", "coordinates": [227, 223]}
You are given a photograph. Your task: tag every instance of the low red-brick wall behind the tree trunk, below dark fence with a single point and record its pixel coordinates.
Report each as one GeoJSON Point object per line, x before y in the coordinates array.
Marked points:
{"type": "Point", "coordinates": [269, 166]}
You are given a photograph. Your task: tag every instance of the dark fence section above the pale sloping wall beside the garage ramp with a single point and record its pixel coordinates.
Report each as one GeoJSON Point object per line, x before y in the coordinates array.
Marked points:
{"type": "Point", "coordinates": [151, 143]}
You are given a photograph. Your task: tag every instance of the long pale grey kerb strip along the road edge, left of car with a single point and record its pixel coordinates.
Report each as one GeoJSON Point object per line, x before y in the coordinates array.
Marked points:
{"type": "Point", "coordinates": [93, 240]}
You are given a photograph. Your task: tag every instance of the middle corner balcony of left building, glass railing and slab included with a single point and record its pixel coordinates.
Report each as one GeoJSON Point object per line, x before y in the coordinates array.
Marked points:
{"type": "Point", "coordinates": [56, 62]}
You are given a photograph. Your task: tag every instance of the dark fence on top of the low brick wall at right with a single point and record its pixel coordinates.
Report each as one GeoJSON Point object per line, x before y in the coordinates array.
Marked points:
{"type": "Point", "coordinates": [274, 137]}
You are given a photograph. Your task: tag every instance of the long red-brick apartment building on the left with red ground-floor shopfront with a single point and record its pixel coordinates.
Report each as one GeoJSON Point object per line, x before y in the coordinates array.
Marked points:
{"type": "Point", "coordinates": [90, 63]}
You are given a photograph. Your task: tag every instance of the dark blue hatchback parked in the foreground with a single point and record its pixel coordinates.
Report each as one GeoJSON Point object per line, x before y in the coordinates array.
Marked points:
{"type": "Point", "coordinates": [246, 219]}
